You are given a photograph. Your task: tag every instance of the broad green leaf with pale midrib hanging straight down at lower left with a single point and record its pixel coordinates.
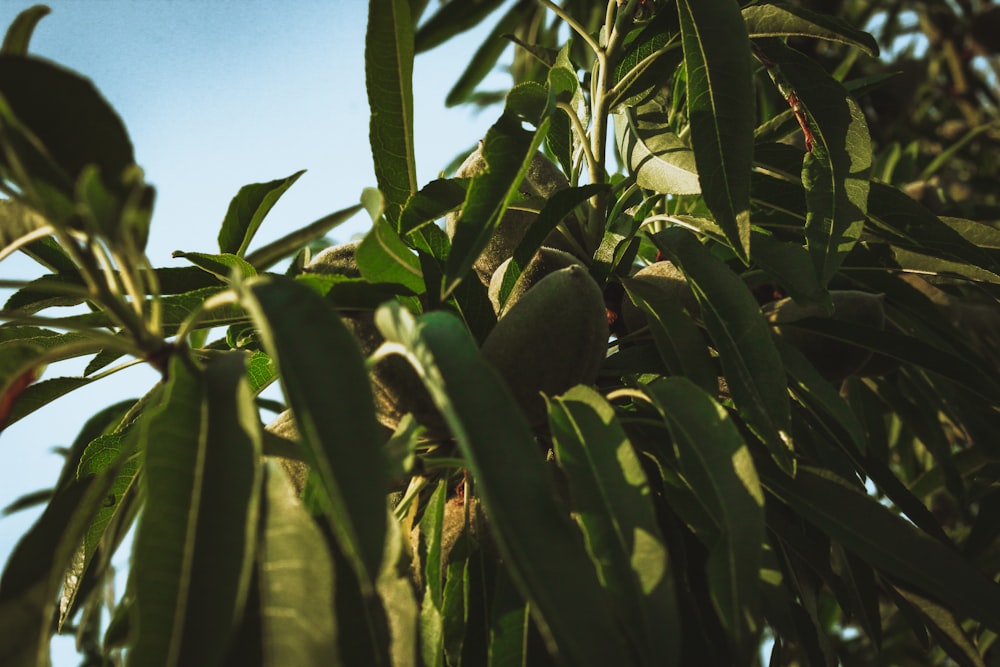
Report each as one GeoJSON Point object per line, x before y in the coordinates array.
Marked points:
{"type": "Point", "coordinates": [194, 545]}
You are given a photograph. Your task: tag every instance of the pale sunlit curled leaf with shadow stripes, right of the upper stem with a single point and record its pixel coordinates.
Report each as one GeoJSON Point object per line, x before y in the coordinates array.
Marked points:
{"type": "Point", "coordinates": [658, 159]}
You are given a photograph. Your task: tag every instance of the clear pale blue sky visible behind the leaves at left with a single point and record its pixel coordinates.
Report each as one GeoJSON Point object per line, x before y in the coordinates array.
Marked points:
{"type": "Point", "coordinates": [217, 95]}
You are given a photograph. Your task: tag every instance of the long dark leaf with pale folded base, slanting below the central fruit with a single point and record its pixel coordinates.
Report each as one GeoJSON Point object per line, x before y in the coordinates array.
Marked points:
{"type": "Point", "coordinates": [545, 556]}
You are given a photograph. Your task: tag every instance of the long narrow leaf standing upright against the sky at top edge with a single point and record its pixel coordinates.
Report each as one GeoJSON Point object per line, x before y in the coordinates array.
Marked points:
{"type": "Point", "coordinates": [389, 81]}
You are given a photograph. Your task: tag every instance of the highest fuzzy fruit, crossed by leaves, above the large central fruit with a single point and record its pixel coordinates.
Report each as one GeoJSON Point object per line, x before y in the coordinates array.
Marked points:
{"type": "Point", "coordinates": [542, 180]}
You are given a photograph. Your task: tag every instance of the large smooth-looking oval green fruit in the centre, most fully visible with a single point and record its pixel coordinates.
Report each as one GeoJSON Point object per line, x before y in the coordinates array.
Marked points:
{"type": "Point", "coordinates": [552, 339]}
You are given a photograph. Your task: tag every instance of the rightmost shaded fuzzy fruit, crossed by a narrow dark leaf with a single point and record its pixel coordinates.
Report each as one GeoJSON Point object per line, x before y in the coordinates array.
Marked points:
{"type": "Point", "coordinates": [834, 360]}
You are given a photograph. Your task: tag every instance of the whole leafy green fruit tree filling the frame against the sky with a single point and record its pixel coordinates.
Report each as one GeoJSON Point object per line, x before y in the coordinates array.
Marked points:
{"type": "Point", "coordinates": [731, 383]}
